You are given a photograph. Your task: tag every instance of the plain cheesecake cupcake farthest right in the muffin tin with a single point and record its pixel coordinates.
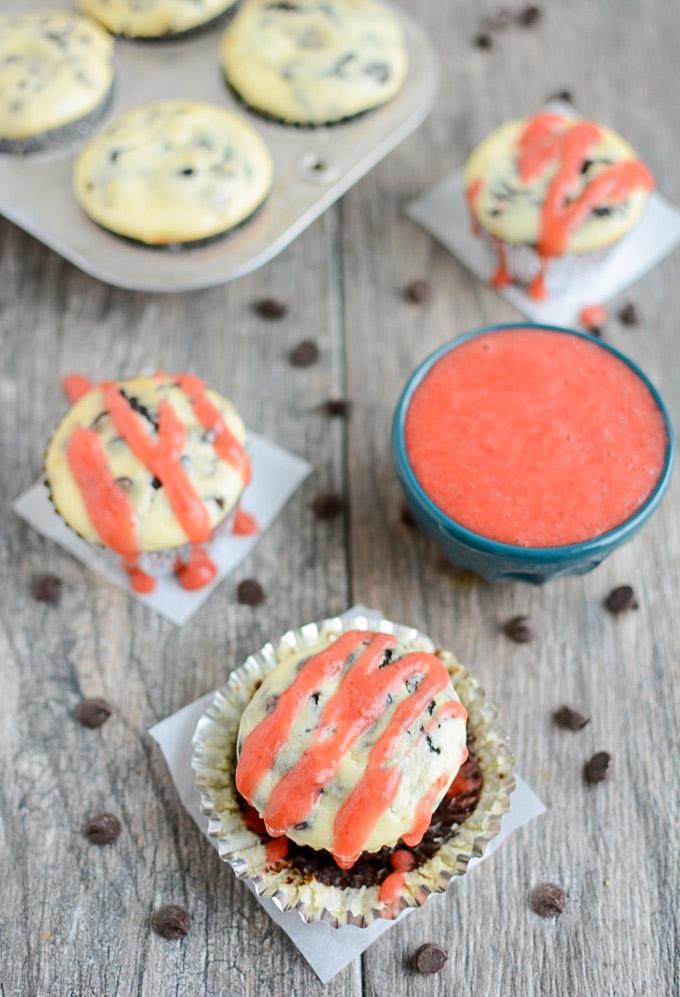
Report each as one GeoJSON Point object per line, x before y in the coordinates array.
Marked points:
{"type": "Point", "coordinates": [309, 63]}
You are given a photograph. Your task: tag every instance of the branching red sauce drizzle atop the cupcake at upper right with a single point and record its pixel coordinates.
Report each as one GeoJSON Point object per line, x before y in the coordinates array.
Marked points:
{"type": "Point", "coordinates": [545, 141]}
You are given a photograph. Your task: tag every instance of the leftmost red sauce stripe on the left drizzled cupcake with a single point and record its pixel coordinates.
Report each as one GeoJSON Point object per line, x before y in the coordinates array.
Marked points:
{"type": "Point", "coordinates": [108, 506]}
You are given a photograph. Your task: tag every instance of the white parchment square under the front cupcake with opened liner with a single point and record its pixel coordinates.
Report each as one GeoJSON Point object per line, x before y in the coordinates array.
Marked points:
{"type": "Point", "coordinates": [327, 950]}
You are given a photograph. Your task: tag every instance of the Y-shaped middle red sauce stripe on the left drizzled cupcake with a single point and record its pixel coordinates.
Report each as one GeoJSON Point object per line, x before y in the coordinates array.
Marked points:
{"type": "Point", "coordinates": [162, 458]}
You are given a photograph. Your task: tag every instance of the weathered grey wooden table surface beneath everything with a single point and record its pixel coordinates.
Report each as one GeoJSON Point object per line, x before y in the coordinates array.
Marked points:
{"type": "Point", "coordinates": [75, 918]}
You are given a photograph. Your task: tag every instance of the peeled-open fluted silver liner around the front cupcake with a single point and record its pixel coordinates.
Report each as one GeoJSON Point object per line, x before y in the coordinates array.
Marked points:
{"type": "Point", "coordinates": [213, 762]}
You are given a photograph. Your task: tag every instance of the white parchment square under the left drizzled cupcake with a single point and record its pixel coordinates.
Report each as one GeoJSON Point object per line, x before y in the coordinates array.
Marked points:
{"type": "Point", "coordinates": [276, 475]}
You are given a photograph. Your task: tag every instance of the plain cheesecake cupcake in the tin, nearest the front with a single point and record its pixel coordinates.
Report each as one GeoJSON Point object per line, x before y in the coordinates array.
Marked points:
{"type": "Point", "coordinates": [174, 173]}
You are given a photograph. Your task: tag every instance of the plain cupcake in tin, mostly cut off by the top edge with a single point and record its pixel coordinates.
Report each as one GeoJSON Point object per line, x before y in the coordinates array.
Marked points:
{"type": "Point", "coordinates": [155, 18]}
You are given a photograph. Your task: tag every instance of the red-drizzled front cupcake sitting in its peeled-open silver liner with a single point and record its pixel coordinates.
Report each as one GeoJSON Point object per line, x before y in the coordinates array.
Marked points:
{"type": "Point", "coordinates": [351, 770]}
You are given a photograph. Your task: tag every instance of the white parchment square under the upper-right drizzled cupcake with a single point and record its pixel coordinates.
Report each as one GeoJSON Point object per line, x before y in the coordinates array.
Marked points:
{"type": "Point", "coordinates": [443, 211]}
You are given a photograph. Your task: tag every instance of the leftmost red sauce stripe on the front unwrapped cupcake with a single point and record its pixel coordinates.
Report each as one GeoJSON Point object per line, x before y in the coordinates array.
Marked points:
{"type": "Point", "coordinates": [264, 742]}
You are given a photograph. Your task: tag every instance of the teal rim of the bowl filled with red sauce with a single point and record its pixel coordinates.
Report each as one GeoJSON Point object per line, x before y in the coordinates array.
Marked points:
{"type": "Point", "coordinates": [497, 547]}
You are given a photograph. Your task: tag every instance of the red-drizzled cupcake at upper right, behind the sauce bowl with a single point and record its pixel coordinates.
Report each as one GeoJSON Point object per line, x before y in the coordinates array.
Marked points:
{"type": "Point", "coordinates": [551, 194]}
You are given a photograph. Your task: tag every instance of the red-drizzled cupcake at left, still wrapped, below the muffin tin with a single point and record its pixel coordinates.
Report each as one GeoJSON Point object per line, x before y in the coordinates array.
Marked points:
{"type": "Point", "coordinates": [150, 468]}
